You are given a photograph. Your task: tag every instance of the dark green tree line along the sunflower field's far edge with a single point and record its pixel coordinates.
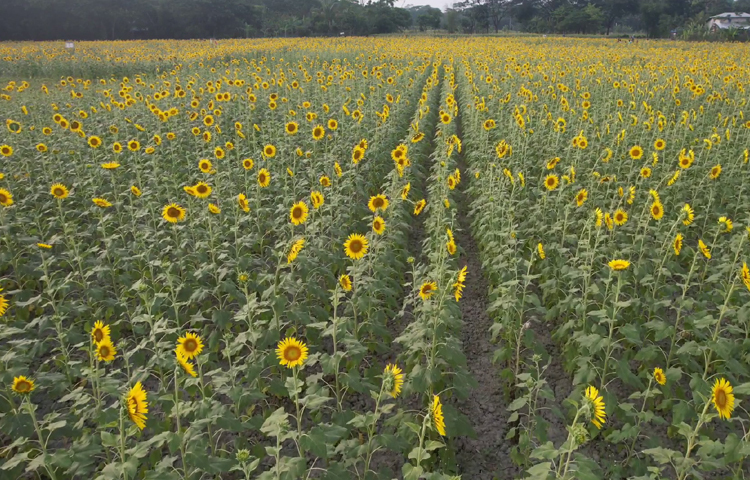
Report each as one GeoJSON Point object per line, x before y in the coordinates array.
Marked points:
{"type": "Point", "coordinates": [147, 19]}
